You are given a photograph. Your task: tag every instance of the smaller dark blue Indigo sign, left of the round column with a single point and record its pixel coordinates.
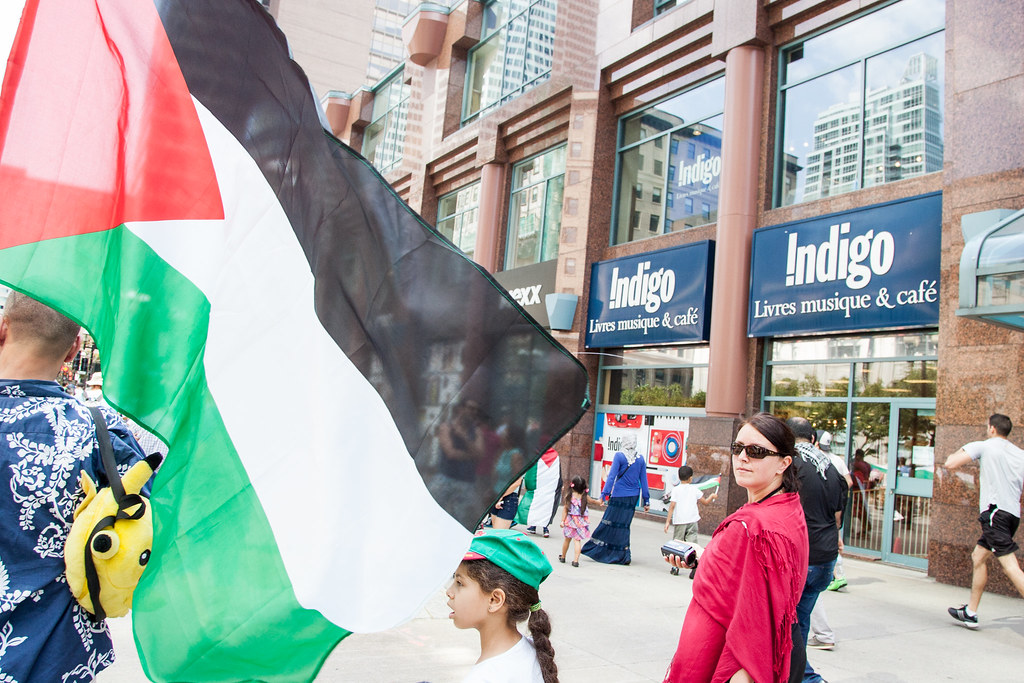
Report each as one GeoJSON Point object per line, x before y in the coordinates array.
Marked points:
{"type": "Point", "coordinates": [661, 297]}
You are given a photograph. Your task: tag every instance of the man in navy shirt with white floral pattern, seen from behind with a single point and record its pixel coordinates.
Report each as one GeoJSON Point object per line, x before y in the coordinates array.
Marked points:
{"type": "Point", "coordinates": [48, 439]}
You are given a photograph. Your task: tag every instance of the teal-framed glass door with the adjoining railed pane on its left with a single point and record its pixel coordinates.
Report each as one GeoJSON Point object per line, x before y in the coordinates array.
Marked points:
{"type": "Point", "coordinates": [892, 468]}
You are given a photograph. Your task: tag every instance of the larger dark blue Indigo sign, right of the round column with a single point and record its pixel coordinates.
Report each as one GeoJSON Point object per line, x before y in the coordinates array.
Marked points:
{"type": "Point", "coordinates": [872, 268]}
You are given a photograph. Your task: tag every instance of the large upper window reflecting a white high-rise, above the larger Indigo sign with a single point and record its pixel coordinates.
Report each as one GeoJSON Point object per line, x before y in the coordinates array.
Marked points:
{"type": "Point", "coordinates": [862, 104]}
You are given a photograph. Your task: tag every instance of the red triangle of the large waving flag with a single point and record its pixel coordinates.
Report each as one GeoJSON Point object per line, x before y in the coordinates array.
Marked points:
{"type": "Point", "coordinates": [98, 126]}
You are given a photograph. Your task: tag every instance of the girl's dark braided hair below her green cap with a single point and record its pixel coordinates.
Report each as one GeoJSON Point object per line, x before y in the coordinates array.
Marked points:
{"type": "Point", "coordinates": [520, 599]}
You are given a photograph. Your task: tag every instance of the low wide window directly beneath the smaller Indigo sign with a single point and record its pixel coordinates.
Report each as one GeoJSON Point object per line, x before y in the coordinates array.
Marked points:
{"type": "Point", "coordinates": [665, 378]}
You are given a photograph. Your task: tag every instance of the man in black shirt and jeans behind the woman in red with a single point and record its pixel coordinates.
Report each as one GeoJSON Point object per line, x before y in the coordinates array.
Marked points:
{"type": "Point", "coordinates": [823, 495]}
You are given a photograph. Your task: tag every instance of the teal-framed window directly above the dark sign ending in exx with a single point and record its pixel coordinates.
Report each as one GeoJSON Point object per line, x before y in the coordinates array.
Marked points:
{"type": "Point", "coordinates": [536, 209]}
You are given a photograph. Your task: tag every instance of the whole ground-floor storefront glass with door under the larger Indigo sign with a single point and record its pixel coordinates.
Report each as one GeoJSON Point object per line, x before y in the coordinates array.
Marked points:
{"type": "Point", "coordinates": [882, 424]}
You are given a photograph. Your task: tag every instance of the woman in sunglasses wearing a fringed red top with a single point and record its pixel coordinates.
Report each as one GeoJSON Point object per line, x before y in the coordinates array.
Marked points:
{"type": "Point", "coordinates": [740, 625]}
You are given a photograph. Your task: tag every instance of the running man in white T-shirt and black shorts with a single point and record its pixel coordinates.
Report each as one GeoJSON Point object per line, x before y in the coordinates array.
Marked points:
{"type": "Point", "coordinates": [1002, 476]}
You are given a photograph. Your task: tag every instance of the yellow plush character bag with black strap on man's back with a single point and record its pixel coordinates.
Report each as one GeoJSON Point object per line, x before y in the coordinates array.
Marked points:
{"type": "Point", "coordinates": [110, 542]}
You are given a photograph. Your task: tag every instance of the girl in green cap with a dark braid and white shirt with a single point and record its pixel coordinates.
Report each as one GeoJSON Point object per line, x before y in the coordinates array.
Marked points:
{"type": "Point", "coordinates": [494, 589]}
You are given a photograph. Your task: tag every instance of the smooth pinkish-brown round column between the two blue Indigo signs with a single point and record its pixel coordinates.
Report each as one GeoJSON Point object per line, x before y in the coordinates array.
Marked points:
{"type": "Point", "coordinates": [738, 211]}
